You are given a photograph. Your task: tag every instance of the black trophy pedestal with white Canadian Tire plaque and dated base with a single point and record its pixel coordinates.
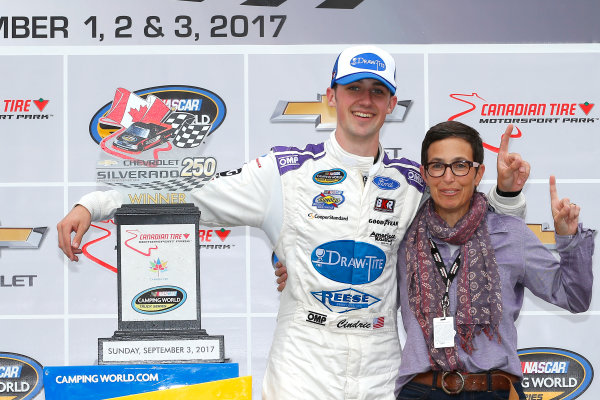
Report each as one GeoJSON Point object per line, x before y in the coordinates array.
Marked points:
{"type": "Point", "coordinates": [159, 289]}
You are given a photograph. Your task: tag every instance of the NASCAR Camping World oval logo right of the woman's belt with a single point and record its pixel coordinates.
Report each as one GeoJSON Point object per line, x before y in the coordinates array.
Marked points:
{"type": "Point", "coordinates": [554, 374]}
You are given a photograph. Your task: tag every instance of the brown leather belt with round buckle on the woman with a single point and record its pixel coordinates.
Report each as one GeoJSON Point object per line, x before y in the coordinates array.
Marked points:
{"type": "Point", "coordinates": [454, 382]}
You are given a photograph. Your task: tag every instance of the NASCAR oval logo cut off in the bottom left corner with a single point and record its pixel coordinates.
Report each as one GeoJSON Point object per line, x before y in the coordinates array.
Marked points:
{"type": "Point", "coordinates": [20, 377]}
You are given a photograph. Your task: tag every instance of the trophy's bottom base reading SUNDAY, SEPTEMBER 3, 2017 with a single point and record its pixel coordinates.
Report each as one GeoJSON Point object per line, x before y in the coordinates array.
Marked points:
{"type": "Point", "coordinates": [175, 347]}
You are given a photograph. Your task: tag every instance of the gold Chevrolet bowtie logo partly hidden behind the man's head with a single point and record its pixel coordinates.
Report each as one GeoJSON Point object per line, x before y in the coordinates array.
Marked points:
{"type": "Point", "coordinates": [321, 114]}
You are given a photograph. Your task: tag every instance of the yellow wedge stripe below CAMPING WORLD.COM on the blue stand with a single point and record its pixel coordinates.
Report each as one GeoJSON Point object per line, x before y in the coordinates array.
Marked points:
{"type": "Point", "coordinates": [226, 389]}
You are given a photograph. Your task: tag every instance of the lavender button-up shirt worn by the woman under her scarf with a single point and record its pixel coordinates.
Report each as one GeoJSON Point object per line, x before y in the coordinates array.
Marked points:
{"type": "Point", "coordinates": [523, 262]}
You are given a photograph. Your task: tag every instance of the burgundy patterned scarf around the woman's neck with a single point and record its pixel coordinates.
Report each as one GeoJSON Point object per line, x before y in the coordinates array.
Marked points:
{"type": "Point", "coordinates": [479, 299]}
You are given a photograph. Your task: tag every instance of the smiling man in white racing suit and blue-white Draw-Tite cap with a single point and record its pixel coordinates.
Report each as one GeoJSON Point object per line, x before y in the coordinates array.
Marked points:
{"type": "Point", "coordinates": [336, 213]}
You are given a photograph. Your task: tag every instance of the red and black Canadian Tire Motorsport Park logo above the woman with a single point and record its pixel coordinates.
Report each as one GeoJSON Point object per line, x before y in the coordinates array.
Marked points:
{"type": "Point", "coordinates": [476, 109]}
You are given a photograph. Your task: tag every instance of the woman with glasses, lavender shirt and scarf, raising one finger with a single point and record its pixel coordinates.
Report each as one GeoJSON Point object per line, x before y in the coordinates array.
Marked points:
{"type": "Point", "coordinates": [462, 273]}
